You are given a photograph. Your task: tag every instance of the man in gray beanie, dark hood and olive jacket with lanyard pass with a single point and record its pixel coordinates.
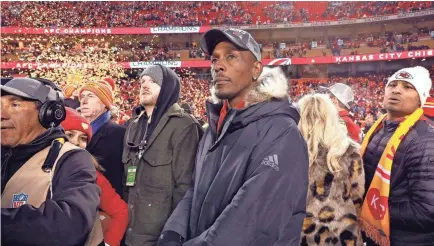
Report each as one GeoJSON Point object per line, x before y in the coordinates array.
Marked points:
{"type": "Point", "coordinates": [160, 145]}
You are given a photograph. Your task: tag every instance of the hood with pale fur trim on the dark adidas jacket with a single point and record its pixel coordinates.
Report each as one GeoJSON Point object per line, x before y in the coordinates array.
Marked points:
{"type": "Point", "coordinates": [268, 98]}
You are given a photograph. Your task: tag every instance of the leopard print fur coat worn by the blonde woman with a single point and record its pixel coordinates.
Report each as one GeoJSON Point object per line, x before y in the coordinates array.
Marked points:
{"type": "Point", "coordinates": [334, 202]}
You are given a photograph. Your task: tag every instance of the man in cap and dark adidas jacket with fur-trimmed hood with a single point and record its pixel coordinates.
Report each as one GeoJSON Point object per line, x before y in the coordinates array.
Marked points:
{"type": "Point", "coordinates": [251, 172]}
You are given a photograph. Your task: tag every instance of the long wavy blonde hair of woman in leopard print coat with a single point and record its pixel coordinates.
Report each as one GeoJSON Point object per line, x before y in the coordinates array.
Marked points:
{"type": "Point", "coordinates": [323, 130]}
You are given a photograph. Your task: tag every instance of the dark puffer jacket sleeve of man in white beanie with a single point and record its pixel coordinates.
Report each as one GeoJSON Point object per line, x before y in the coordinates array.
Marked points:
{"type": "Point", "coordinates": [417, 213]}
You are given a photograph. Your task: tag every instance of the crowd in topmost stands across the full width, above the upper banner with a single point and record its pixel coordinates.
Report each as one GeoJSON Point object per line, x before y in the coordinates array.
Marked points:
{"type": "Point", "coordinates": [149, 14]}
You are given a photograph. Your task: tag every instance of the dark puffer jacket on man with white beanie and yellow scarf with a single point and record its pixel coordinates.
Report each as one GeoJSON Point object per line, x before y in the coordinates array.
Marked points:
{"type": "Point", "coordinates": [411, 199]}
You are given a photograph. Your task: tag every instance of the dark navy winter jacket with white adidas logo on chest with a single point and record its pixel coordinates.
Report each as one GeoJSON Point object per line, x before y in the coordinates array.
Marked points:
{"type": "Point", "coordinates": [250, 181]}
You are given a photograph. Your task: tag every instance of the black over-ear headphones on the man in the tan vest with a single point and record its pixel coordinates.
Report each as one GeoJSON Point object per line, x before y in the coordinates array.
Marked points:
{"type": "Point", "coordinates": [52, 111]}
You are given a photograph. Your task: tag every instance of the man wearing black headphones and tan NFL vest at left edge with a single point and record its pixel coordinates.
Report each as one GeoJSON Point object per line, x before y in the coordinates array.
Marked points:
{"type": "Point", "coordinates": [49, 194]}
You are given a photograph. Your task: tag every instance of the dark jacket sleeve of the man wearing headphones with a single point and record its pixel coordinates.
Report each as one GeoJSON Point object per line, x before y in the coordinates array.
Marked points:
{"type": "Point", "coordinates": [68, 217]}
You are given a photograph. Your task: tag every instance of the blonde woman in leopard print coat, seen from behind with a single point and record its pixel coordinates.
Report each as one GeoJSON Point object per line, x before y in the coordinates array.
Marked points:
{"type": "Point", "coordinates": [336, 176]}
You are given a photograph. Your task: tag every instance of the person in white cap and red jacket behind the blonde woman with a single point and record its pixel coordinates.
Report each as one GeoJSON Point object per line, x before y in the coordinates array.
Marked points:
{"type": "Point", "coordinates": [342, 95]}
